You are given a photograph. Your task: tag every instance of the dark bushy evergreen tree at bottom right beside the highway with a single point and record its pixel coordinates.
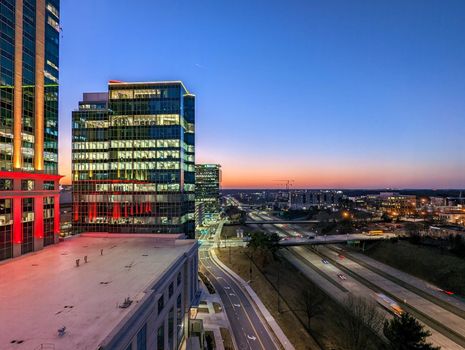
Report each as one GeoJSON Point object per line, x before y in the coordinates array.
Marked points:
{"type": "Point", "coordinates": [406, 333]}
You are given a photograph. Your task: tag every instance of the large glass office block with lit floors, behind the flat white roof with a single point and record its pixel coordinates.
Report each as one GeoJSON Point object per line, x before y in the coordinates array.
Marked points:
{"type": "Point", "coordinates": [133, 159]}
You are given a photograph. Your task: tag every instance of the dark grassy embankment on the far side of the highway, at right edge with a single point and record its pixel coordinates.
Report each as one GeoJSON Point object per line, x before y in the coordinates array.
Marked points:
{"type": "Point", "coordinates": [445, 270]}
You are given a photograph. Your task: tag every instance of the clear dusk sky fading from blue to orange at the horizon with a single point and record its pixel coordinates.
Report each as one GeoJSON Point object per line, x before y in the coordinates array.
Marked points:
{"type": "Point", "coordinates": [330, 93]}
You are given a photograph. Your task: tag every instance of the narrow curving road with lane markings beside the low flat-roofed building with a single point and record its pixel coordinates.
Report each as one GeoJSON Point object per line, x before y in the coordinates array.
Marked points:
{"type": "Point", "coordinates": [248, 329]}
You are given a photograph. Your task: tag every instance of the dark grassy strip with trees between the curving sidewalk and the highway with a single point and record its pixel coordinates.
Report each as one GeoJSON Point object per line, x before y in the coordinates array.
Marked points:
{"type": "Point", "coordinates": [325, 333]}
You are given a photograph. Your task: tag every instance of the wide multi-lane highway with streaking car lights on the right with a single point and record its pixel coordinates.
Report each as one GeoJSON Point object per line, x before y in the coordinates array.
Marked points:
{"type": "Point", "coordinates": [436, 312]}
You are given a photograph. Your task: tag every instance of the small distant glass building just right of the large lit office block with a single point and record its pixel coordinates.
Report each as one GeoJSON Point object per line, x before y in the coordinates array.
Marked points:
{"type": "Point", "coordinates": [207, 189]}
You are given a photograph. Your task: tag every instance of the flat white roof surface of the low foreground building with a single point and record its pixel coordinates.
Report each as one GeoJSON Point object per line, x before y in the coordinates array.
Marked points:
{"type": "Point", "coordinates": [44, 291]}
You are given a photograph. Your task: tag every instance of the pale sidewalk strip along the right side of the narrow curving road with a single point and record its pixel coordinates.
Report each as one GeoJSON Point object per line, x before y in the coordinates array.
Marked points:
{"type": "Point", "coordinates": [279, 334]}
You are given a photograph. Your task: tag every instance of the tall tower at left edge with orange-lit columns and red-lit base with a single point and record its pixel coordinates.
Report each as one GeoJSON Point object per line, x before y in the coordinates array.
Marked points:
{"type": "Point", "coordinates": [29, 193]}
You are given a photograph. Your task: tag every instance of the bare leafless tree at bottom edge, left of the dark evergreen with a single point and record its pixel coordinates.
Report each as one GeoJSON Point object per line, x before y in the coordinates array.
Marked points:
{"type": "Point", "coordinates": [361, 319]}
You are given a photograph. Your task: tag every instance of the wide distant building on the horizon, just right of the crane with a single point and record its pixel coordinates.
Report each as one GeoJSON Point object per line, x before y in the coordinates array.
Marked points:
{"type": "Point", "coordinates": [304, 199]}
